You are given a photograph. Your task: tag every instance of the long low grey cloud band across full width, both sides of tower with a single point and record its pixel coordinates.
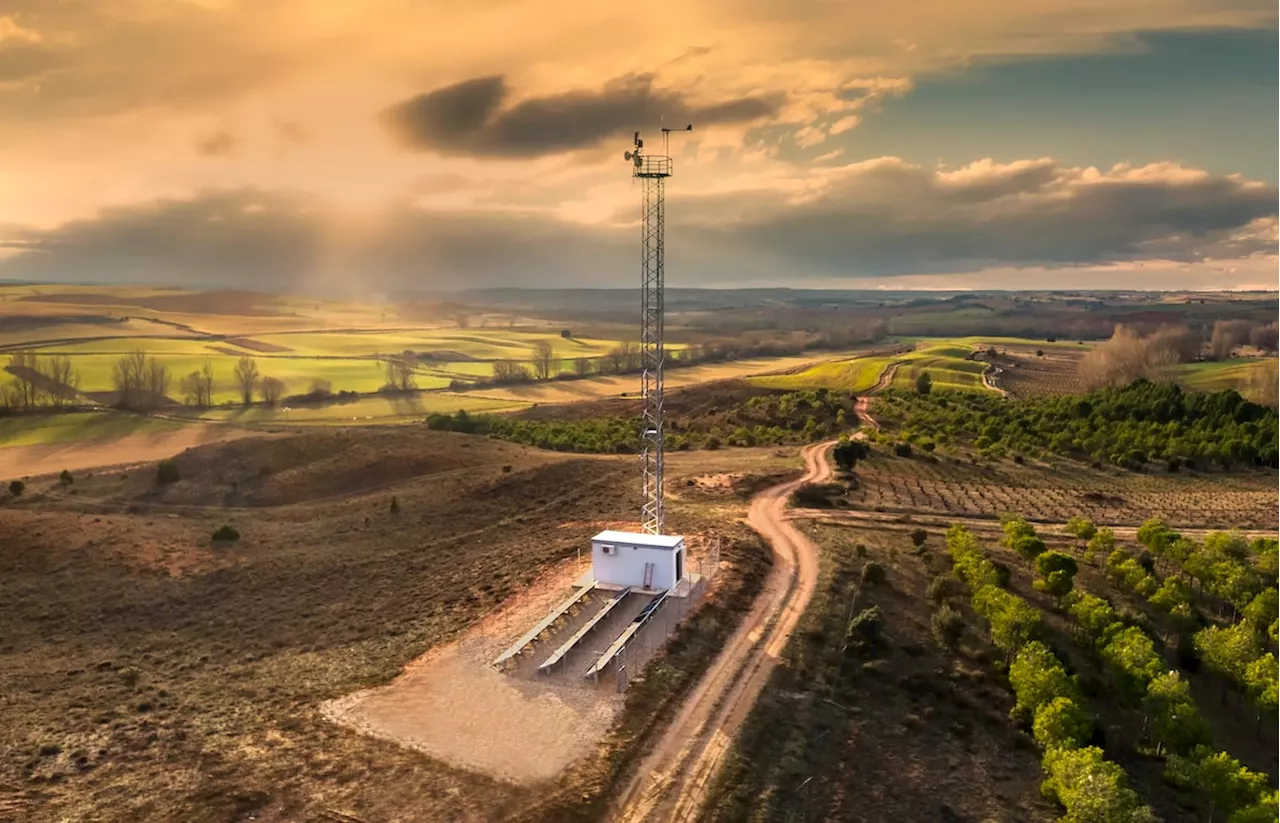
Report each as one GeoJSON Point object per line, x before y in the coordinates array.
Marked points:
{"type": "Point", "coordinates": [875, 220]}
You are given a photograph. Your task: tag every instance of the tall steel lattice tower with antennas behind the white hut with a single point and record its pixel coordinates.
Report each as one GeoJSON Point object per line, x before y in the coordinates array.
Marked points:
{"type": "Point", "coordinates": [653, 172]}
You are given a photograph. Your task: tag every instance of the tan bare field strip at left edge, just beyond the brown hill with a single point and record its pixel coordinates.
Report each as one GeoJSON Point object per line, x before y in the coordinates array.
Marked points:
{"type": "Point", "coordinates": [31, 461]}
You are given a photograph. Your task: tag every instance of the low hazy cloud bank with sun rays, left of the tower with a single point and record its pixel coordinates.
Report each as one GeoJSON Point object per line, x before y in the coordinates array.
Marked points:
{"type": "Point", "coordinates": [272, 240]}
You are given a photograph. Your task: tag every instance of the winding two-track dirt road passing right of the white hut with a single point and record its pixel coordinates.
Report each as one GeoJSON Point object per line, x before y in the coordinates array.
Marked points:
{"type": "Point", "coordinates": [673, 780]}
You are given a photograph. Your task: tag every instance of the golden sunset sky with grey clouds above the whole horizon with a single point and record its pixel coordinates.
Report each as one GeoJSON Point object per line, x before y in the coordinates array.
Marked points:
{"type": "Point", "coordinates": [380, 147]}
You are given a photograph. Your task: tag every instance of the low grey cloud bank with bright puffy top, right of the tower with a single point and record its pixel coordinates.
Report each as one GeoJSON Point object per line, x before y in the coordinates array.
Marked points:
{"type": "Point", "coordinates": [888, 217]}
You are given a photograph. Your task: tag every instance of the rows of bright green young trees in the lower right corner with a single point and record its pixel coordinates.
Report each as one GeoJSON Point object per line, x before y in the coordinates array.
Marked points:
{"type": "Point", "coordinates": [1171, 716]}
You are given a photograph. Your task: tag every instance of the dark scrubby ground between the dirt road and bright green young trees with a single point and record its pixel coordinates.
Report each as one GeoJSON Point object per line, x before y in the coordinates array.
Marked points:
{"type": "Point", "coordinates": [899, 730]}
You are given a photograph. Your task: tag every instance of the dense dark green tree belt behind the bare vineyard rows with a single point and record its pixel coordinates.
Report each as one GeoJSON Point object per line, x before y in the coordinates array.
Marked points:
{"type": "Point", "coordinates": [1128, 427]}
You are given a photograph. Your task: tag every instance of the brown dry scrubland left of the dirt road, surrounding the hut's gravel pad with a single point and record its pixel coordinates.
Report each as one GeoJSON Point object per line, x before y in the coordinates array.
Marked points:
{"type": "Point", "coordinates": [154, 675]}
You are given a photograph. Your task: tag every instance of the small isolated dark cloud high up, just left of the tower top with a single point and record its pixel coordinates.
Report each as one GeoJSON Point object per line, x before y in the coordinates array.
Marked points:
{"type": "Point", "coordinates": [474, 117]}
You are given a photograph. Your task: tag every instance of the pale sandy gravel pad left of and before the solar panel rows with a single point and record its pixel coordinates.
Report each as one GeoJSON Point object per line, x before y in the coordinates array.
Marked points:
{"type": "Point", "coordinates": [454, 706]}
